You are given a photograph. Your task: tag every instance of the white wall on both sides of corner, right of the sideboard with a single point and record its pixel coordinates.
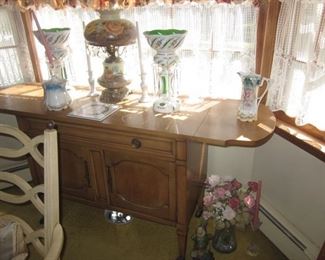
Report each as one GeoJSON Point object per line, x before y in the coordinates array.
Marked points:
{"type": "Point", "coordinates": [293, 180]}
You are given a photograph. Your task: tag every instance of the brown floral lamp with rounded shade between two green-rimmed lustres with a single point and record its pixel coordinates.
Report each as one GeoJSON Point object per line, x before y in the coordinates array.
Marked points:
{"type": "Point", "coordinates": [110, 32]}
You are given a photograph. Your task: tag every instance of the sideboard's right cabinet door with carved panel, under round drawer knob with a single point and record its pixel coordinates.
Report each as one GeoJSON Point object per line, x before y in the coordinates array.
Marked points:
{"type": "Point", "coordinates": [141, 184]}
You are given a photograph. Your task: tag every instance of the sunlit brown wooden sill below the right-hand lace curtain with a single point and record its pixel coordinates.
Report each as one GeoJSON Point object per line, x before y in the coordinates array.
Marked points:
{"type": "Point", "coordinates": [301, 139]}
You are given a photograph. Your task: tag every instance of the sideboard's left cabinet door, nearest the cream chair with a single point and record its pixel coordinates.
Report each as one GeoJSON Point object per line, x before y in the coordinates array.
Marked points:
{"type": "Point", "coordinates": [81, 171]}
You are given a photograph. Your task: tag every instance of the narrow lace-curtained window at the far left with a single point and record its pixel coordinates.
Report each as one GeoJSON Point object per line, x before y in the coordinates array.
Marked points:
{"type": "Point", "coordinates": [15, 66]}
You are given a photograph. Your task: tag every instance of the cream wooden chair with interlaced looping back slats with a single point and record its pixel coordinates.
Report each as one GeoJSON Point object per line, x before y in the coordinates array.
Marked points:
{"type": "Point", "coordinates": [48, 240]}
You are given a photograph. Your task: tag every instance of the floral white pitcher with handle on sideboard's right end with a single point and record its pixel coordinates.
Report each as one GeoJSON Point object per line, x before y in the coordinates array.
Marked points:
{"type": "Point", "coordinates": [250, 99]}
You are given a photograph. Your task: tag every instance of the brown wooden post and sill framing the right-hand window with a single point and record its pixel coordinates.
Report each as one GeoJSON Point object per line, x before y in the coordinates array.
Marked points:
{"type": "Point", "coordinates": [286, 126]}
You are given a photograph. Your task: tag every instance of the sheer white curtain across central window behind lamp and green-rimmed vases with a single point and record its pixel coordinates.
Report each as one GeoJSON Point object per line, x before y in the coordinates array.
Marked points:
{"type": "Point", "coordinates": [220, 42]}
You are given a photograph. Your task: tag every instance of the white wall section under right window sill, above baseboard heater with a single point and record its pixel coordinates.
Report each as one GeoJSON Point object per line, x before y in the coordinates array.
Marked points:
{"type": "Point", "coordinates": [294, 184]}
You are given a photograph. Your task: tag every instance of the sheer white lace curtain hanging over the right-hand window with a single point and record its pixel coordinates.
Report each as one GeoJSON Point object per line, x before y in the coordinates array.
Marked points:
{"type": "Point", "coordinates": [298, 73]}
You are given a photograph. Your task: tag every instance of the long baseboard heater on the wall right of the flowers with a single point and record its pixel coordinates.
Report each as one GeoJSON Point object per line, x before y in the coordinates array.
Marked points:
{"type": "Point", "coordinates": [285, 235]}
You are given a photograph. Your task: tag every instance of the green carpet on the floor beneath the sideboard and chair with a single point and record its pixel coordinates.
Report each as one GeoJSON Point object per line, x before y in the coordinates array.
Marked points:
{"type": "Point", "coordinates": [88, 236]}
